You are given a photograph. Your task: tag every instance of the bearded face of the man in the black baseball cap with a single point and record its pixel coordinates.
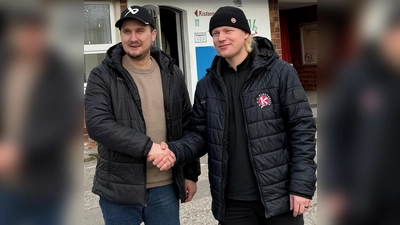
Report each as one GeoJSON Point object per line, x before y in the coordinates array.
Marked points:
{"type": "Point", "coordinates": [136, 38]}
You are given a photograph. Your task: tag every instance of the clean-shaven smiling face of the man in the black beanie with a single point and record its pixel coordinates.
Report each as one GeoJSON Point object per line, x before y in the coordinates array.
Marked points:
{"type": "Point", "coordinates": [229, 41]}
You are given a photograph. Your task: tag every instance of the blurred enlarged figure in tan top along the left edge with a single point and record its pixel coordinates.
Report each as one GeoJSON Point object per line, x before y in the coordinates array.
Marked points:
{"type": "Point", "coordinates": [38, 120]}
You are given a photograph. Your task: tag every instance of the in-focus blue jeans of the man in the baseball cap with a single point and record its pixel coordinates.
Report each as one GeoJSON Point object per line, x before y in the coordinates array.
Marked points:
{"type": "Point", "coordinates": [162, 208]}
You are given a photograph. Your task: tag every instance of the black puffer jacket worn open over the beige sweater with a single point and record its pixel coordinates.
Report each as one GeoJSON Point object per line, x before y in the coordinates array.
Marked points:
{"type": "Point", "coordinates": [114, 119]}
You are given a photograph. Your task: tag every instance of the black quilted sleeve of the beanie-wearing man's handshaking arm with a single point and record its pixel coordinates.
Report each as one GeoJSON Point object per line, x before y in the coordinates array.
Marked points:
{"type": "Point", "coordinates": [192, 145]}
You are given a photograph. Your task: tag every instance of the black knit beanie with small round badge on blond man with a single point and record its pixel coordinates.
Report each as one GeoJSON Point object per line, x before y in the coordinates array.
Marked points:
{"type": "Point", "coordinates": [229, 16]}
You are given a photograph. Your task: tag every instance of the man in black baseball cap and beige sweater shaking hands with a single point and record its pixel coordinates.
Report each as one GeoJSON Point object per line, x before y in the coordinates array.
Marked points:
{"type": "Point", "coordinates": [129, 109]}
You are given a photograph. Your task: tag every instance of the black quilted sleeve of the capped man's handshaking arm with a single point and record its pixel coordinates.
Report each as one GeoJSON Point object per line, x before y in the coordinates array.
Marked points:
{"type": "Point", "coordinates": [102, 126]}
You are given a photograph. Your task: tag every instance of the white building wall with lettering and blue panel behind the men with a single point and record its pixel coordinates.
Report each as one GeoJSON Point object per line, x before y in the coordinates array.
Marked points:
{"type": "Point", "coordinates": [199, 54]}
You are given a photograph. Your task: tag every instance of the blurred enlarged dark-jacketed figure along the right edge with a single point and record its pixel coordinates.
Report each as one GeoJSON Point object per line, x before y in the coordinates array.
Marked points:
{"type": "Point", "coordinates": [359, 128]}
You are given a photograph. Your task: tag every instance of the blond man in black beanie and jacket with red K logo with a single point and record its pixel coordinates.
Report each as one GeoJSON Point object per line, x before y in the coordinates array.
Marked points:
{"type": "Point", "coordinates": [251, 115]}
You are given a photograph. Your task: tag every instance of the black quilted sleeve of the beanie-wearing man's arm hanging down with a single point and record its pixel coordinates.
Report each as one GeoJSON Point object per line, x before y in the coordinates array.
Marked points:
{"type": "Point", "coordinates": [300, 128]}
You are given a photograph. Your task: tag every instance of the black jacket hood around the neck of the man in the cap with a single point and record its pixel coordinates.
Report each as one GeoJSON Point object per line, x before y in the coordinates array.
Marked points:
{"type": "Point", "coordinates": [114, 57]}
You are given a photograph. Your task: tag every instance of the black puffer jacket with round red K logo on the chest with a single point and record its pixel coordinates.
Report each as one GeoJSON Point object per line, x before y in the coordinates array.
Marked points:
{"type": "Point", "coordinates": [281, 136]}
